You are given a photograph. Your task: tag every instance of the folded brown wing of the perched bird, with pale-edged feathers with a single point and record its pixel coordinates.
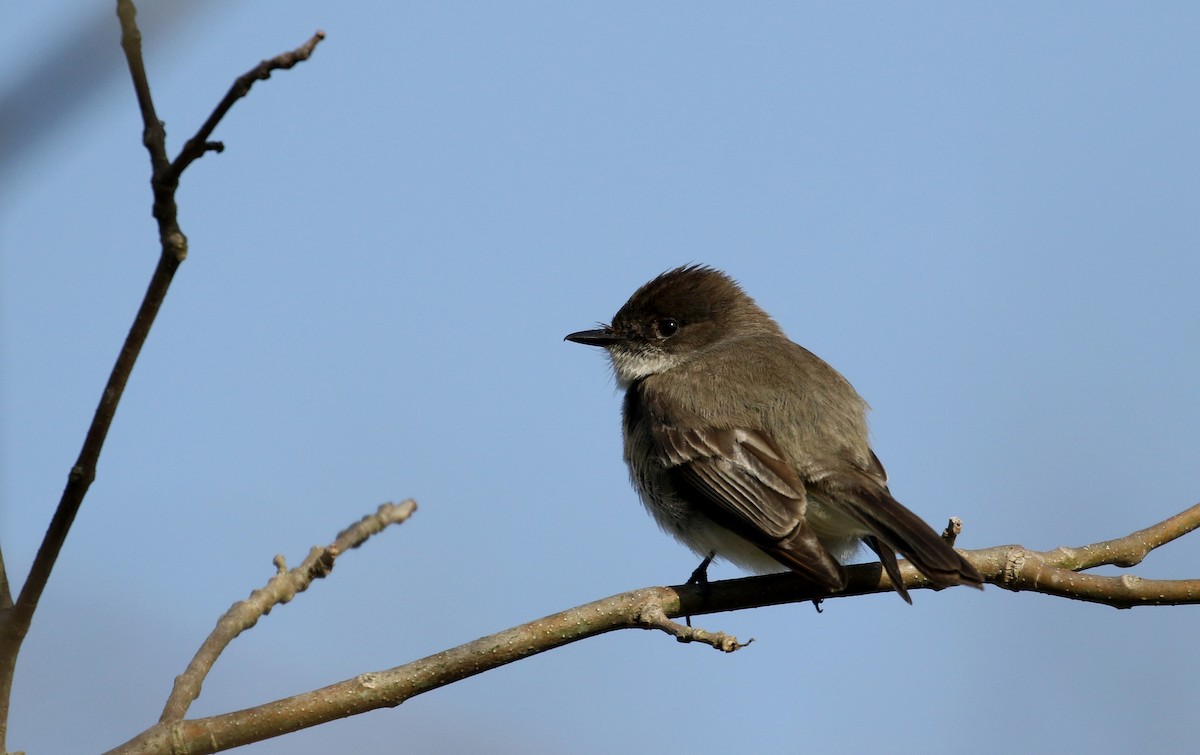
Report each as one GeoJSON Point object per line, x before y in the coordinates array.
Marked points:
{"type": "Point", "coordinates": [740, 480]}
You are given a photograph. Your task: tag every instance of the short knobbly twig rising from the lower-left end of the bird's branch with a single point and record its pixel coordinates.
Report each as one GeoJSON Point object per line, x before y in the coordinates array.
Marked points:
{"type": "Point", "coordinates": [280, 589]}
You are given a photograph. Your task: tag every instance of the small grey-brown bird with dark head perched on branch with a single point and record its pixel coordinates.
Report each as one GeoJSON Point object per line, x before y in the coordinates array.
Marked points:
{"type": "Point", "coordinates": [751, 448]}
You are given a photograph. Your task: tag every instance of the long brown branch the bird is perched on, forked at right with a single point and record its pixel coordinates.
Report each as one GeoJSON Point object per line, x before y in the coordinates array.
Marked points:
{"type": "Point", "coordinates": [653, 608]}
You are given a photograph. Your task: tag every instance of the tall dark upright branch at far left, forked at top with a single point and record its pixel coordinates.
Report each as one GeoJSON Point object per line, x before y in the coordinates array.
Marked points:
{"type": "Point", "coordinates": [17, 616]}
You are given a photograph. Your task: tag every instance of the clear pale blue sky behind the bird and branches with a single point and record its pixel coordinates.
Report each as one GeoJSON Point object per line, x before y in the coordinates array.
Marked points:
{"type": "Point", "coordinates": [985, 215]}
